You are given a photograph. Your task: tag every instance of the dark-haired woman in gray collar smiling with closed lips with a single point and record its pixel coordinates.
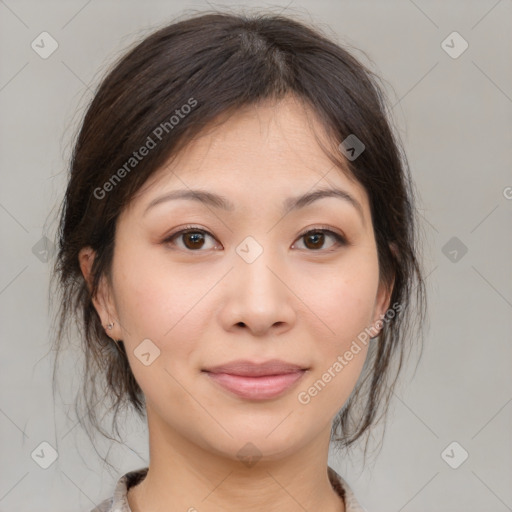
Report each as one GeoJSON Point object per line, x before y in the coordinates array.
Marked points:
{"type": "Point", "coordinates": [238, 244]}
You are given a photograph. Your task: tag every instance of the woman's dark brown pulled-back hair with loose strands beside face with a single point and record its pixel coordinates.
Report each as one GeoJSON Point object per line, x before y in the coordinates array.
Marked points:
{"type": "Point", "coordinates": [219, 62]}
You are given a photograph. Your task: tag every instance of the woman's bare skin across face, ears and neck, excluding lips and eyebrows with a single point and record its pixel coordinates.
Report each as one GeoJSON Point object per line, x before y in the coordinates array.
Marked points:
{"type": "Point", "coordinates": [202, 305]}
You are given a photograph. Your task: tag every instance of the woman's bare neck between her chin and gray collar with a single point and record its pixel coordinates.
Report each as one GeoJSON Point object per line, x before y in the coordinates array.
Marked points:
{"type": "Point", "coordinates": [185, 476]}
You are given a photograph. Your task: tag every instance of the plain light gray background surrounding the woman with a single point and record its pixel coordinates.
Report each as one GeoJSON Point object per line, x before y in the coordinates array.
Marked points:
{"type": "Point", "coordinates": [454, 115]}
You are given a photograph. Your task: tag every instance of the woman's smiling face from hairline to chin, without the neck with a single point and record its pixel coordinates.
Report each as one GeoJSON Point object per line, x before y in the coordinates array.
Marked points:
{"type": "Point", "coordinates": [205, 285]}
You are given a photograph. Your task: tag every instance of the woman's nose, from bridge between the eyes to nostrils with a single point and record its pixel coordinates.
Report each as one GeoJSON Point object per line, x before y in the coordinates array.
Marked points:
{"type": "Point", "coordinates": [258, 296]}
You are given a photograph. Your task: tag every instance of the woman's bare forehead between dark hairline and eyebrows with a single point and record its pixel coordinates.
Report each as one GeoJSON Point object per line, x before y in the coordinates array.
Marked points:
{"type": "Point", "coordinates": [260, 153]}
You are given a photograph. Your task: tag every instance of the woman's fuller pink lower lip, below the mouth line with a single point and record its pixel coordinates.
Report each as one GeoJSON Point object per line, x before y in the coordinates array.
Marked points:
{"type": "Point", "coordinates": [257, 388]}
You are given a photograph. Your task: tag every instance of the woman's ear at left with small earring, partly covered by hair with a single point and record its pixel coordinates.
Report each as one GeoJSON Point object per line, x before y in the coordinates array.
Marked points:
{"type": "Point", "coordinates": [102, 301]}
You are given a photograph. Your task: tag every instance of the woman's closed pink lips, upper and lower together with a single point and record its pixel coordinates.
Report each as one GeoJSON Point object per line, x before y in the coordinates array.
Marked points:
{"type": "Point", "coordinates": [256, 381]}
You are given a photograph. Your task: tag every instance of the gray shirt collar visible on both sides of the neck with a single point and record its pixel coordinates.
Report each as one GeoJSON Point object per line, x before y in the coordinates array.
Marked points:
{"type": "Point", "coordinates": [118, 502]}
